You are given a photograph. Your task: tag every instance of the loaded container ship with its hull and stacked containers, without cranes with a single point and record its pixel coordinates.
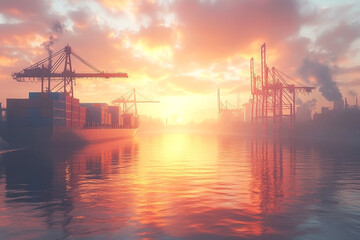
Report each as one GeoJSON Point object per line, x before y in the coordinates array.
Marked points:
{"type": "Point", "coordinates": [55, 117]}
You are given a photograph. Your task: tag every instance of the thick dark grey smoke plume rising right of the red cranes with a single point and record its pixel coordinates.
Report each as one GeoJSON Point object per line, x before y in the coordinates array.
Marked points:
{"type": "Point", "coordinates": [322, 74]}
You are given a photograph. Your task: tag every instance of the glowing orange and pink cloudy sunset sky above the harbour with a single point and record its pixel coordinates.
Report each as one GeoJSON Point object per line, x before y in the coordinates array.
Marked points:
{"type": "Point", "coordinates": [181, 51]}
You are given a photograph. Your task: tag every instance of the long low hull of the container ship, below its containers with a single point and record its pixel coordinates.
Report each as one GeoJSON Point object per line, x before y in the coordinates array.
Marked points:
{"type": "Point", "coordinates": [63, 136]}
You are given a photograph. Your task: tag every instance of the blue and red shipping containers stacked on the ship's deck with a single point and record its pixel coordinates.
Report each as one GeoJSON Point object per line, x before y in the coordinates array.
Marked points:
{"type": "Point", "coordinates": [60, 110]}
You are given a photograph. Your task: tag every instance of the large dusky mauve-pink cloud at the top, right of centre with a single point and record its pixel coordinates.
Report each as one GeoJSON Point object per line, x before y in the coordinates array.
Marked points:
{"type": "Point", "coordinates": [217, 29]}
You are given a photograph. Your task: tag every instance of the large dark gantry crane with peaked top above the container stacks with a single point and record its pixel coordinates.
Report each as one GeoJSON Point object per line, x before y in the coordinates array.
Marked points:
{"type": "Point", "coordinates": [64, 81]}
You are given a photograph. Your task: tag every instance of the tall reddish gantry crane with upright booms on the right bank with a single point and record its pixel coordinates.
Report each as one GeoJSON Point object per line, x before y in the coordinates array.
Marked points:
{"type": "Point", "coordinates": [272, 95]}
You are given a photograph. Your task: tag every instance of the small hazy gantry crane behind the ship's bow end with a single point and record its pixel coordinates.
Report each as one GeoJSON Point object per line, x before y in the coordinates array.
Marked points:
{"type": "Point", "coordinates": [129, 102]}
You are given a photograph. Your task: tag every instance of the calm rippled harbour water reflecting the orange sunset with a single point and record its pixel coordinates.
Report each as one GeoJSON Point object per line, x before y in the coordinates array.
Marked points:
{"type": "Point", "coordinates": [181, 186]}
